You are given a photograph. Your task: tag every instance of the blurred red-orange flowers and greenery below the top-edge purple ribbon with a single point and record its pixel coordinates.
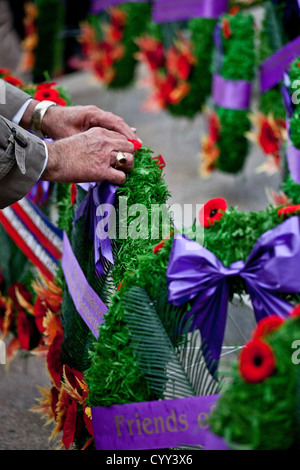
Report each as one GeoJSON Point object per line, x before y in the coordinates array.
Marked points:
{"type": "Point", "coordinates": [180, 74]}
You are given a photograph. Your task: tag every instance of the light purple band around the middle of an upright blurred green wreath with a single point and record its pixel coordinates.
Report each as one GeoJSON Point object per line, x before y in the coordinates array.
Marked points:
{"type": "Point", "coordinates": [231, 94]}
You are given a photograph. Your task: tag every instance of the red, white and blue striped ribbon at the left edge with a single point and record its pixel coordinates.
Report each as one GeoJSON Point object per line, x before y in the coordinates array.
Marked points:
{"type": "Point", "coordinates": [34, 234]}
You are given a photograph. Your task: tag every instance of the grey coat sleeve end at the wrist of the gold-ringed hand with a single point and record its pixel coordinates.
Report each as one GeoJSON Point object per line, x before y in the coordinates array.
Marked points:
{"type": "Point", "coordinates": [22, 159]}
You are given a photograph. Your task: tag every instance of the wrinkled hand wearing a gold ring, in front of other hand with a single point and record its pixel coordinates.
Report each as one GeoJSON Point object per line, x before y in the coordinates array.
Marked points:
{"type": "Point", "coordinates": [88, 156]}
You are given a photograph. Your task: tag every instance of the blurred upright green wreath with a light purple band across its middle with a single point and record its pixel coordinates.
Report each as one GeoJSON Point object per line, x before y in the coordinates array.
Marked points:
{"type": "Point", "coordinates": [226, 147]}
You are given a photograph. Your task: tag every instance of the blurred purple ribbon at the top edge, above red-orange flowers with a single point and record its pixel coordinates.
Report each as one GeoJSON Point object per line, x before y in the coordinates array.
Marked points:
{"type": "Point", "coordinates": [177, 10]}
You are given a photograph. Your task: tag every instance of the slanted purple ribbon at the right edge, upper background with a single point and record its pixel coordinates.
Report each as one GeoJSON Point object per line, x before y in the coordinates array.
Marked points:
{"type": "Point", "coordinates": [272, 70]}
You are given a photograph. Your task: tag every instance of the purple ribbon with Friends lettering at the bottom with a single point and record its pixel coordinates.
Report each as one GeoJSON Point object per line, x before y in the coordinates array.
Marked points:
{"type": "Point", "coordinates": [158, 424]}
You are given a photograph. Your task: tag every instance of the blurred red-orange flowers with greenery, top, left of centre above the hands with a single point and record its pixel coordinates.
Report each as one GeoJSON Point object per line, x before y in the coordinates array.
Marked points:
{"type": "Point", "coordinates": [109, 46]}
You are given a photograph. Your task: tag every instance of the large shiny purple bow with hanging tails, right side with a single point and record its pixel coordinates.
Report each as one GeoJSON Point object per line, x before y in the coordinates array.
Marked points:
{"type": "Point", "coordinates": [272, 268]}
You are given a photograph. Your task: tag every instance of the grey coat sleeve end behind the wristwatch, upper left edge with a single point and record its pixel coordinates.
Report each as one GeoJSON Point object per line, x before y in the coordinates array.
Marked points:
{"type": "Point", "coordinates": [11, 99]}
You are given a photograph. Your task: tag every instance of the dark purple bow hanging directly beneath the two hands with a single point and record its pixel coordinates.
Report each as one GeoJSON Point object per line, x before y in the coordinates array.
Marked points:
{"type": "Point", "coordinates": [98, 194]}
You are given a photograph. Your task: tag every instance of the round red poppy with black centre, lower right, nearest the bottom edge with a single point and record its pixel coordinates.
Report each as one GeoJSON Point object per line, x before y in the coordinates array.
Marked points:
{"type": "Point", "coordinates": [257, 361]}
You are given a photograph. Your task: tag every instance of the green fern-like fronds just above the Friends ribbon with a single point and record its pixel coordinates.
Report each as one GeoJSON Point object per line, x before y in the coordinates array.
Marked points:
{"type": "Point", "coordinates": [169, 356]}
